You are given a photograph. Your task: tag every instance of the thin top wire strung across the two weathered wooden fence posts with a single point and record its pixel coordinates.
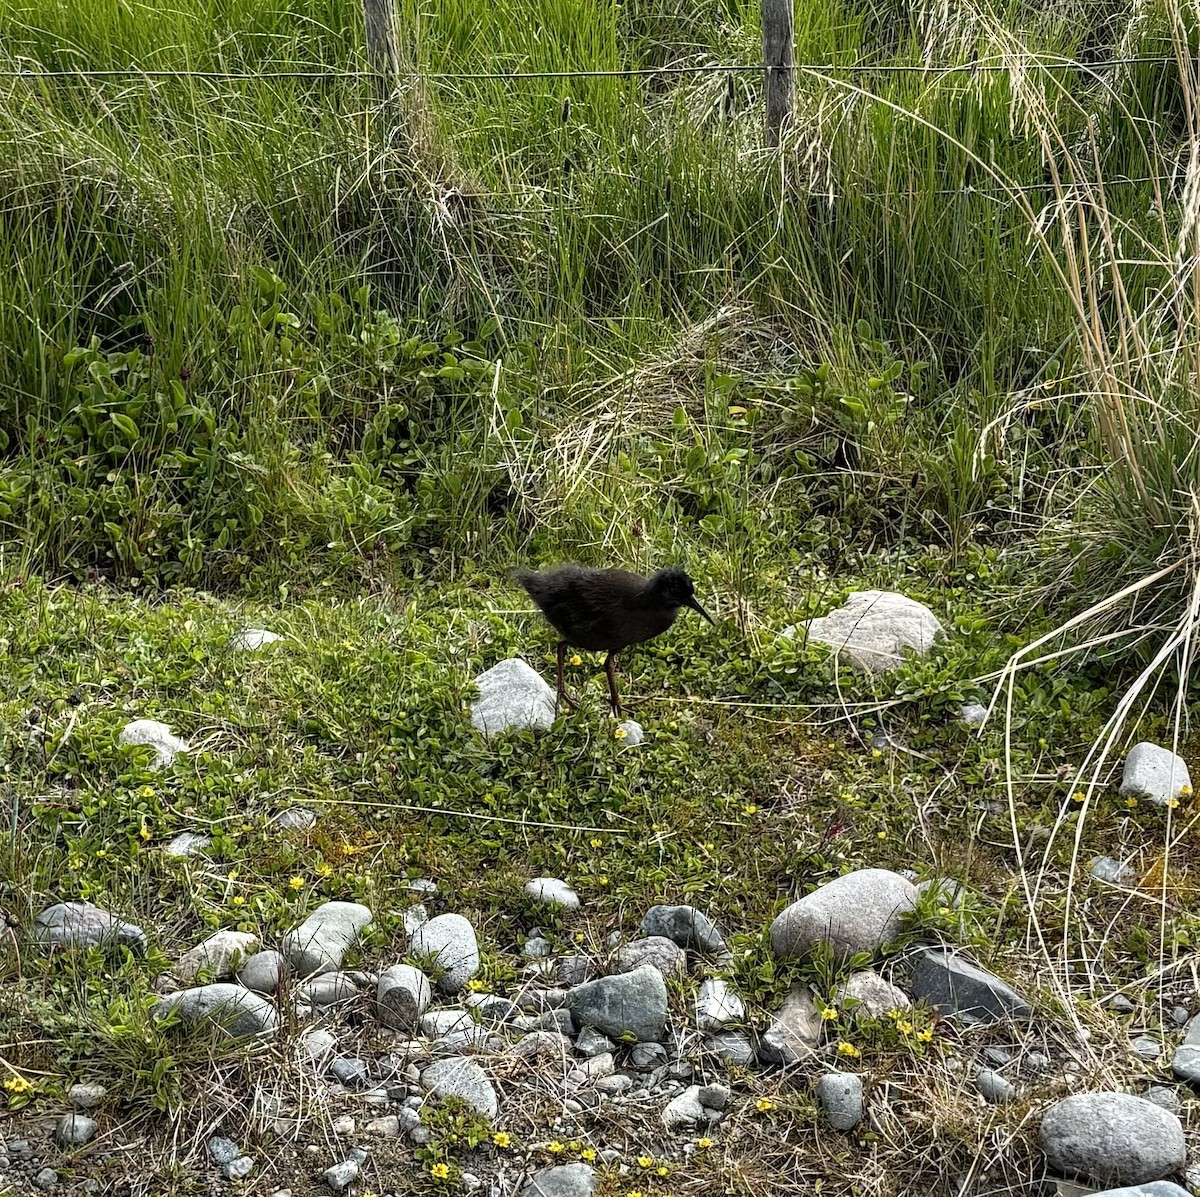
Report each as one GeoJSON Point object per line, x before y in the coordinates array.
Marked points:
{"type": "Point", "coordinates": [820, 69]}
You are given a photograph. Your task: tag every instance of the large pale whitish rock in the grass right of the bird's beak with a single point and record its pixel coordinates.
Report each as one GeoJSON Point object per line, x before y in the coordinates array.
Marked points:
{"type": "Point", "coordinates": [874, 628]}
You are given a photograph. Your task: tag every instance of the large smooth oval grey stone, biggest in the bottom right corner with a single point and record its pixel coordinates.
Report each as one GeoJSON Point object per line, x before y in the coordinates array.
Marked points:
{"type": "Point", "coordinates": [1112, 1139]}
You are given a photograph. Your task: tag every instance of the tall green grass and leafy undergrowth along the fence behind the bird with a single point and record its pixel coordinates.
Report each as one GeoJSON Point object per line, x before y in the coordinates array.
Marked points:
{"type": "Point", "coordinates": [916, 238]}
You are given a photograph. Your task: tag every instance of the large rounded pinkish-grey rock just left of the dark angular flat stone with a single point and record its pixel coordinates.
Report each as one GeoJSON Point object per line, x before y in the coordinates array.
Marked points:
{"type": "Point", "coordinates": [860, 912]}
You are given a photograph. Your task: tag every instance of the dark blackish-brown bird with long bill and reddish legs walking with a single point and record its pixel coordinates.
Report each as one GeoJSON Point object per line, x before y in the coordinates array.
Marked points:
{"type": "Point", "coordinates": [605, 611]}
